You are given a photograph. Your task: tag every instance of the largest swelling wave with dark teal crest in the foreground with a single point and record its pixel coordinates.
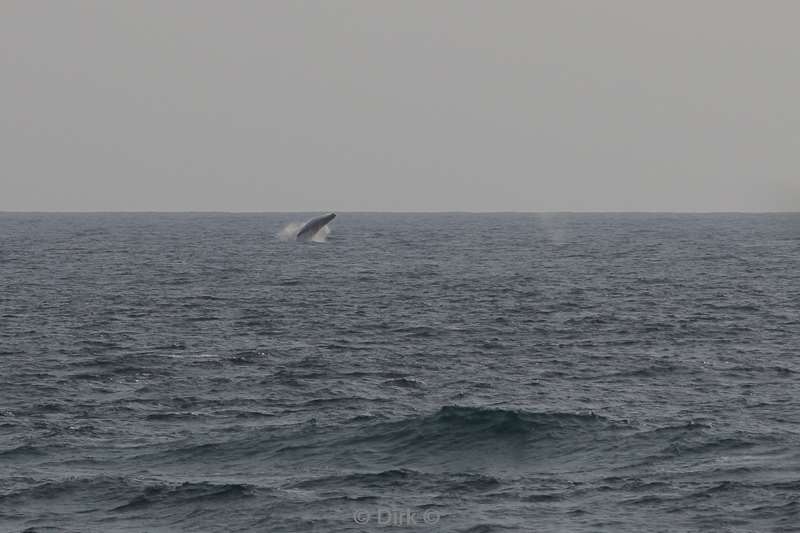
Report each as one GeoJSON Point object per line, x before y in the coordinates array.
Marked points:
{"type": "Point", "coordinates": [451, 433]}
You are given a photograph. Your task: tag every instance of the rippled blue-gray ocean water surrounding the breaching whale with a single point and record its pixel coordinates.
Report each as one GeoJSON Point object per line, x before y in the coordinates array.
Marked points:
{"type": "Point", "coordinates": [452, 372]}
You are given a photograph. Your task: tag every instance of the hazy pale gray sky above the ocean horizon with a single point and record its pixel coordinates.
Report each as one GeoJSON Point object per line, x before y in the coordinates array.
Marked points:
{"type": "Point", "coordinates": [678, 105]}
